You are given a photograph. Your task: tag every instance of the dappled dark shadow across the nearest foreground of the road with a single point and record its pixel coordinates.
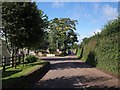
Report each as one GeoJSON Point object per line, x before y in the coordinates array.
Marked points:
{"type": "Point", "coordinates": [71, 82]}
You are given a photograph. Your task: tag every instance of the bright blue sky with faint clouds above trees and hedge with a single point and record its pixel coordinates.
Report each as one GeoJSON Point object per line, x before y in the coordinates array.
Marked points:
{"type": "Point", "coordinates": [91, 16]}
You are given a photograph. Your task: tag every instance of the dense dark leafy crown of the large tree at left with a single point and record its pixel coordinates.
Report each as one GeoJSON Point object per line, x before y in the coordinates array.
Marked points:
{"type": "Point", "coordinates": [23, 24]}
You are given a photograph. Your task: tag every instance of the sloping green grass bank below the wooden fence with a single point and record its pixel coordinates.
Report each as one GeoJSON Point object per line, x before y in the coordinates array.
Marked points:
{"type": "Point", "coordinates": [11, 74]}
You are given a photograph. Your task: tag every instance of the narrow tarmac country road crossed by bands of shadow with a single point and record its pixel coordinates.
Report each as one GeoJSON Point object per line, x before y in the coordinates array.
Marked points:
{"type": "Point", "coordinates": [70, 72]}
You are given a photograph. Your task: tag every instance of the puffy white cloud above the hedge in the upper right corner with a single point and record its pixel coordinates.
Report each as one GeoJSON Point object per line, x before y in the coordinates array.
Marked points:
{"type": "Point", "coordinates": [109, 11]}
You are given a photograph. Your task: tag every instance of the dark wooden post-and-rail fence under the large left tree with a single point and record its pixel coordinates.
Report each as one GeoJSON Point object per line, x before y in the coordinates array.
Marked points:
{"type": "Point", "coordinates": [12, 61]}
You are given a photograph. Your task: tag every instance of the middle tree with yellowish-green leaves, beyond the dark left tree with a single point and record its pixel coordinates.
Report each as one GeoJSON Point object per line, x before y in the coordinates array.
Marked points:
{"type": "Point", "coordinates": [61, 31]}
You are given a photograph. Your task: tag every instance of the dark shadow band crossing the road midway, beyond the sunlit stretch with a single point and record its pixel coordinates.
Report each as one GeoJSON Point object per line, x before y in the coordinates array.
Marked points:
{"type": "Point", "coordinates": [68, 65]}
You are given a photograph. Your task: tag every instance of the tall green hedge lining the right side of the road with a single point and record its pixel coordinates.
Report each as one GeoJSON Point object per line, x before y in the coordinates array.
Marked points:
{"type": "Point", "coordinates": [101, 50]}
